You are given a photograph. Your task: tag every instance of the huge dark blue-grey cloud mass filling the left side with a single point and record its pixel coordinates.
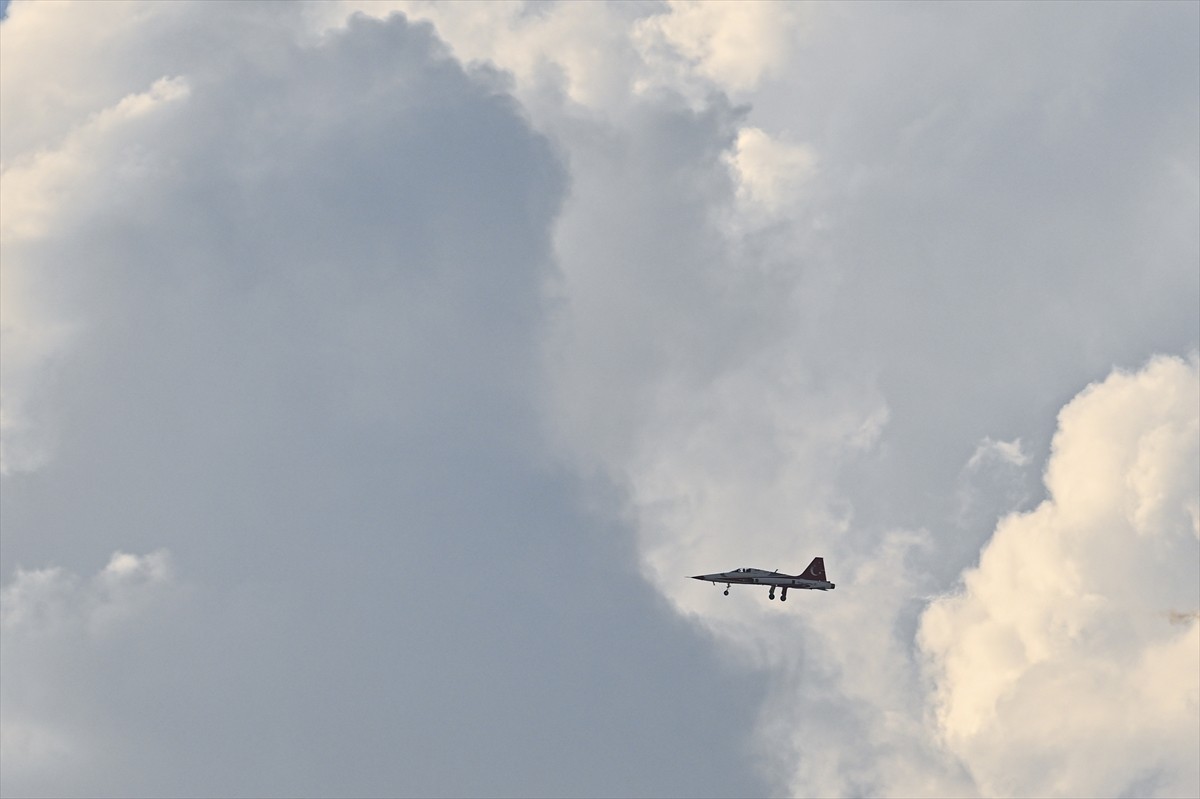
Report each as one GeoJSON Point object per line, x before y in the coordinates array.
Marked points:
{"type": "Point", "coordinates": [309, 304]}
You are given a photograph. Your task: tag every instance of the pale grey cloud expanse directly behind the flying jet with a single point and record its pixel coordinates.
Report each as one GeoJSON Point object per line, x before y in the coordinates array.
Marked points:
{"type": "Point", "coordinates": [815, 383]}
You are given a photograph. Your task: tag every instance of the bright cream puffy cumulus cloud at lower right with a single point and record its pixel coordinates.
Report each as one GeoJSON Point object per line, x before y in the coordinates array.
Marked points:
{"type": "Point", "coordinates": [1052, 676]}
